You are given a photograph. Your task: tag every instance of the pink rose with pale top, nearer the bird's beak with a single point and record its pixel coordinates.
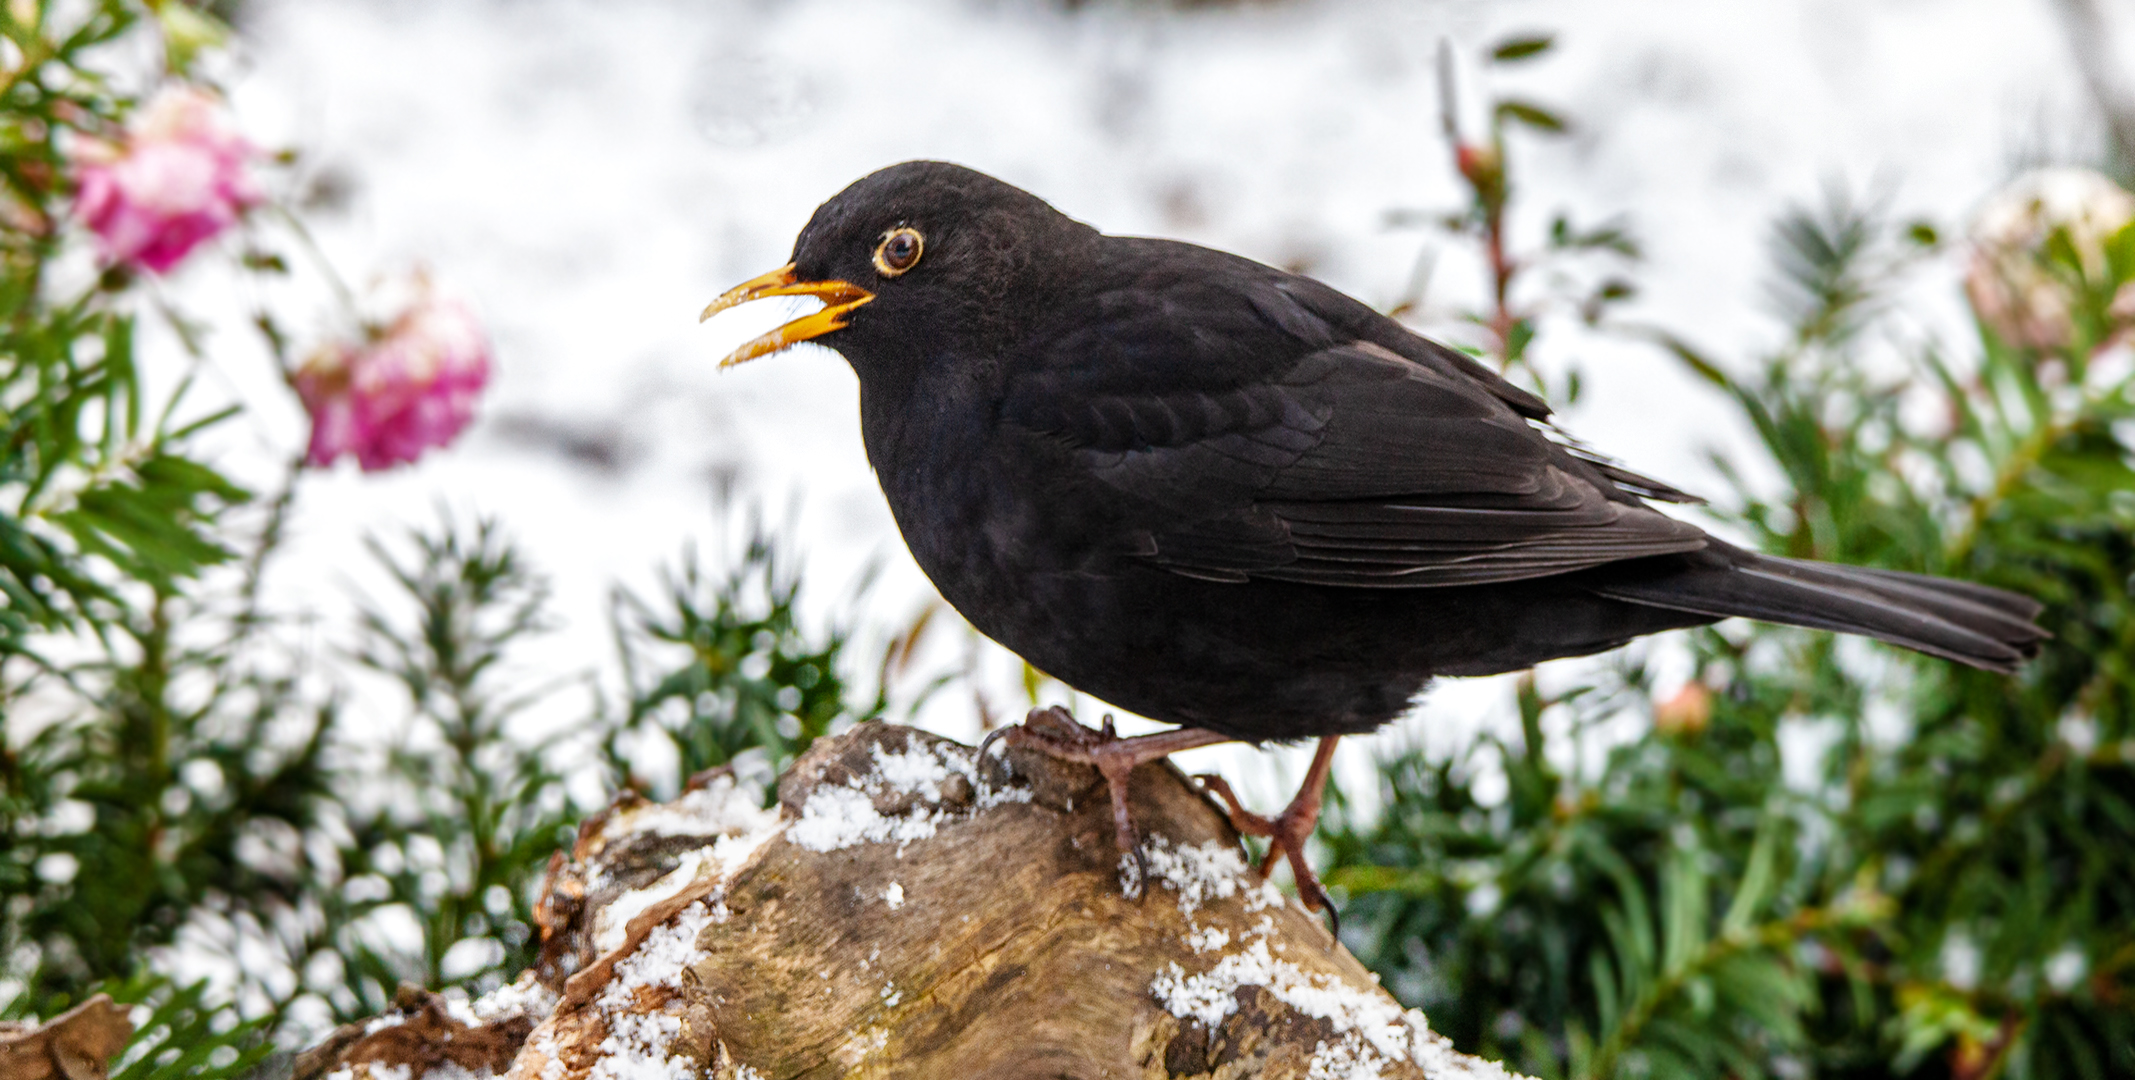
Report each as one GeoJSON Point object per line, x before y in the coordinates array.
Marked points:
{"type": "Point", "coordinates": [400, 394]}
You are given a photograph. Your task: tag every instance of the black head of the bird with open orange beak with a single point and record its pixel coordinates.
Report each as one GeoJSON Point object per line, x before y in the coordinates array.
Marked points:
{"type": "Point", "coordinates": [915, 264]}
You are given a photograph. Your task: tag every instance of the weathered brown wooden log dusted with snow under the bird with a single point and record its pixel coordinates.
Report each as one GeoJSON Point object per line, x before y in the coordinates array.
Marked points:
{"type": "Point", "coordinates": [900, 915]}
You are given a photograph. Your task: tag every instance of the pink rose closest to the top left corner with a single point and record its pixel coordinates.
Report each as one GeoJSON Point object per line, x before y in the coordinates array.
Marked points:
{"type": "Point", "coordinates": [174, 180]}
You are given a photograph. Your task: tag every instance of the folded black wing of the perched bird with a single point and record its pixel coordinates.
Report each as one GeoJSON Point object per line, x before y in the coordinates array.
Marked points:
{"type": "Point", "coordinates": [1252, 436]}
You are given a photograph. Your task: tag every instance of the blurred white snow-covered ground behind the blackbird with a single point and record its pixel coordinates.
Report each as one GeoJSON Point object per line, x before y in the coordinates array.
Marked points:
{"type": "Point", "coordinates": [588, 176]}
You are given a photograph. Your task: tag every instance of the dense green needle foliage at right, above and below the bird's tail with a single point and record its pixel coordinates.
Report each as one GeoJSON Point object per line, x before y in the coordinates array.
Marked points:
{"type": "Point", "coordinates": [1829, 859]}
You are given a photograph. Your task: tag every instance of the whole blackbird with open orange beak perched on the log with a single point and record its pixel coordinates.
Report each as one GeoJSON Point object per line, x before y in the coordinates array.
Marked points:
{"type": "Point", "coordinates": [1237, 501]}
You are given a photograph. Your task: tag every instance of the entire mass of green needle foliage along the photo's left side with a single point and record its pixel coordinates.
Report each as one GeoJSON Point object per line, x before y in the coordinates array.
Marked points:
{"type": "Point", "coordinates": [174, 778]}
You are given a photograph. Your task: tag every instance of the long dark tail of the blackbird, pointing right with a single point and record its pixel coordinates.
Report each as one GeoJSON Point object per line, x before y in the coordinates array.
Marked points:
{"type": "Point", "coordinates": [1955, 620]}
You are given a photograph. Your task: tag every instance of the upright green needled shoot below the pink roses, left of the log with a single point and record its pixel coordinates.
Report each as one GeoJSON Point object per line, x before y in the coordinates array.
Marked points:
{"type": "Point", "coordinates": [456, 825]}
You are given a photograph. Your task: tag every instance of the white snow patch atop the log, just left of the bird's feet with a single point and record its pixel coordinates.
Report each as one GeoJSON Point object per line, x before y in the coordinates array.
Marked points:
{"type": "Point", "coordinates": [844, 814]}
